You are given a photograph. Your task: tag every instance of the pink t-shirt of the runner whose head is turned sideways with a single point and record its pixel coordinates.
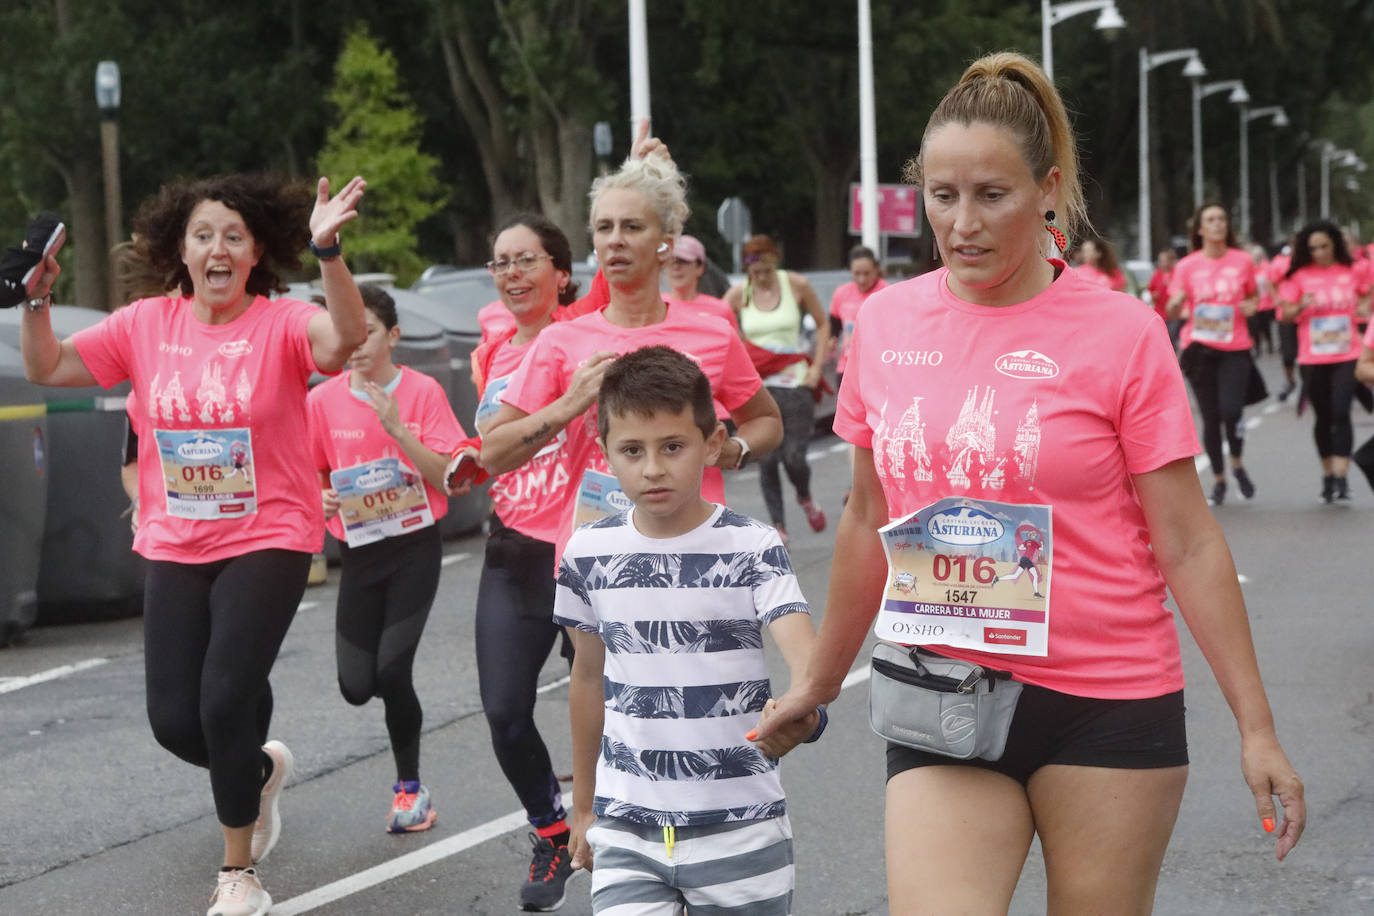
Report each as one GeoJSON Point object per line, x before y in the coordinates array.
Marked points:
{"type": "Point", "coordinates": [346, 431]}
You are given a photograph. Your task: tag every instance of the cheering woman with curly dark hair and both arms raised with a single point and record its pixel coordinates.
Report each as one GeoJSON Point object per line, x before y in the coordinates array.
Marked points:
{"type": "Point", "coordinates": [230, 510]}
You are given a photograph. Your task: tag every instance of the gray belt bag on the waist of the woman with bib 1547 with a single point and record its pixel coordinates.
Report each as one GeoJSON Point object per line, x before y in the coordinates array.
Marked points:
{"type": "Point", "coordinates": [941, 705]}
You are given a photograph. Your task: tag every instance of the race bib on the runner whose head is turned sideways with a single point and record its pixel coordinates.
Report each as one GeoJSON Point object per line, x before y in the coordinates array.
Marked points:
{"type": "Point", "coordinates": [381, 499]}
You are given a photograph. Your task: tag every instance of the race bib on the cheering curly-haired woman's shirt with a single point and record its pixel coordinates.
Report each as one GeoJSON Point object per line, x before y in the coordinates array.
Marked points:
{"type": "Point", "coordinates": [208, 474]}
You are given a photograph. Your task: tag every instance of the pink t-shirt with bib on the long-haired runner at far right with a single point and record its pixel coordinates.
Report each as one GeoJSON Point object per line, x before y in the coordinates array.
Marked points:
{"type": "Point", "coordinates": [1327, 328]}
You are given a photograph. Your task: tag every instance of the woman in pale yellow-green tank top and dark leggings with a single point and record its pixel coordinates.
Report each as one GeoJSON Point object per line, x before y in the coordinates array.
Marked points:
{"type": "Point", "coordinates": [770, 306]}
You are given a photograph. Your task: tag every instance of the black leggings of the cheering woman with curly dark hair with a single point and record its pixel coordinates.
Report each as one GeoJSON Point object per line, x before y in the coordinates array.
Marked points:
{"type": "Point", "coordinates": [211, 635]}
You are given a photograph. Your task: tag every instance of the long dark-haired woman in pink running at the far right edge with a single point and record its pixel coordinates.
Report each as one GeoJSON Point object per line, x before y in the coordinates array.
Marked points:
{"type": "Point", "coordinates": [1324, 293]}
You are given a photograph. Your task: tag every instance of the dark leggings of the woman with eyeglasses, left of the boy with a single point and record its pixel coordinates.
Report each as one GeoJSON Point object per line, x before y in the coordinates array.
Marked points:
{"type": "Point", "coordinates": [516, 632]}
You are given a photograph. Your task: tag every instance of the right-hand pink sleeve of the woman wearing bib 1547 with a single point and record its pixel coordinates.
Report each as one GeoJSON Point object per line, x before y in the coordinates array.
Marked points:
{"type": "Point", "coordinates": [1155, 422]}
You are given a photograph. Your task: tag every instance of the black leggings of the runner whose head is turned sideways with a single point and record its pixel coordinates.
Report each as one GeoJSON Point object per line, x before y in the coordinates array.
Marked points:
{"type": "Point", "coordinates": [387, 590]}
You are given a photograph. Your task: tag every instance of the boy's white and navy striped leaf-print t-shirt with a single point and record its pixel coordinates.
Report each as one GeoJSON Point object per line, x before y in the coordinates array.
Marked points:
{"type": "Point", "coordinates": [685, 679]}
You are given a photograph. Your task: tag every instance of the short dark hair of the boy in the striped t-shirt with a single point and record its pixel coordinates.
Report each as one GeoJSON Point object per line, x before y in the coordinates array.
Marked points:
{"type": "Point", "coordinates": [656, 378]}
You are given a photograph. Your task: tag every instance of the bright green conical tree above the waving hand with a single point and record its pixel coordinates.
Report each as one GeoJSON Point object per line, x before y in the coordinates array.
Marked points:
{"type": "Point", "coordinates": [377, 135]}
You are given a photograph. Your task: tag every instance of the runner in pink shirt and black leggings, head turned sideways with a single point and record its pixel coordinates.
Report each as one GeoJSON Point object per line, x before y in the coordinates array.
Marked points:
{"type": "Point", "coordinates": [379, 432]}
